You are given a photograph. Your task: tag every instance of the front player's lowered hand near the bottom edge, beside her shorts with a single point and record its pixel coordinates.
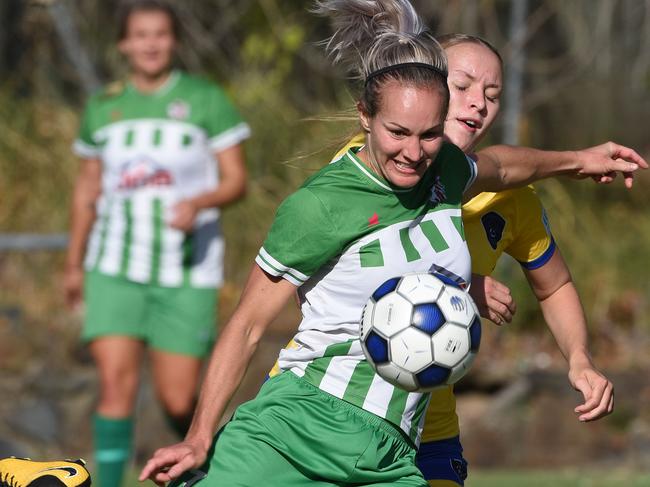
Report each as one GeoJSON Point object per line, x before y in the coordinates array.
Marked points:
{"type": "Point", "coordinates": [172, 461]}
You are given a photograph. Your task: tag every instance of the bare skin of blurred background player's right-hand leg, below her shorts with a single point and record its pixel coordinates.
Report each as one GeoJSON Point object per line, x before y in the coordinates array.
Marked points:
{"type": "Point", "coordinates": [176, 380]}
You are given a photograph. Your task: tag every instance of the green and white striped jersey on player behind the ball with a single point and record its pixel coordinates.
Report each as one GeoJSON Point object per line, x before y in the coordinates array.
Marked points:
{"type": "Point", "coordinates": [340, 236]}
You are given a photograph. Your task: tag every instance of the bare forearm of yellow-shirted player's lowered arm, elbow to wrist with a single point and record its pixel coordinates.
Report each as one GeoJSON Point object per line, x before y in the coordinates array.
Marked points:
{"type": "Point", "coordinates": [565, 318]}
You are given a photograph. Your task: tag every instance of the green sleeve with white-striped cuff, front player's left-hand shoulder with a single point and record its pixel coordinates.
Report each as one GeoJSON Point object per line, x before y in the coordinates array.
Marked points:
{"type": "Point", "coordinates": [301, 240]}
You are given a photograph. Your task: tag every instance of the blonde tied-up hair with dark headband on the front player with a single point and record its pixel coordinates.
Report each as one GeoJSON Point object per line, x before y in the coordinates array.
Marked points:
{"type": "Point", "coordinates": [372, 36]}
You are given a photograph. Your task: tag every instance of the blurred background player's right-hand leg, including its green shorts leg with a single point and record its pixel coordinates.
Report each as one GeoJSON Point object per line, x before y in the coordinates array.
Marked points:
{"type": "Point", "coordinates": [180, 332]}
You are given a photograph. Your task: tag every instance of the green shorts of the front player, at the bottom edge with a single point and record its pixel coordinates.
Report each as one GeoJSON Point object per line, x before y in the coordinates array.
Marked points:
{"type": "Point", "coordinates": [293, 434]}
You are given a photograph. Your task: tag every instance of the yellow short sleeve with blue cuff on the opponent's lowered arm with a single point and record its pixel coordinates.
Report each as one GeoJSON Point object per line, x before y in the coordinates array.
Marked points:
{"type": "Point", "coordinates": [532, 244]}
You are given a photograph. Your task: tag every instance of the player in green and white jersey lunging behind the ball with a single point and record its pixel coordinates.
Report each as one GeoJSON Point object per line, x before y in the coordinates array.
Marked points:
{"type": "Point", "coordinates": [327, 418]}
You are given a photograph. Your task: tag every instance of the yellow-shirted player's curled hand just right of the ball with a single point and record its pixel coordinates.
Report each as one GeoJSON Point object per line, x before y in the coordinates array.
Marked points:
{"type": "Point", "coordinates": [493, 299]}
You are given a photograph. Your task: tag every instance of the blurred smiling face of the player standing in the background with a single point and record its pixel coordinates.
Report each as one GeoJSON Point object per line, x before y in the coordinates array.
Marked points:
{"type": "Point", "coordinates": [149, 42]}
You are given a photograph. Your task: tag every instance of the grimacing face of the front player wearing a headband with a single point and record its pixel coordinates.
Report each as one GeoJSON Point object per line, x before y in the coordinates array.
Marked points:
{"type": "Point", "coordinates": [406, 134]}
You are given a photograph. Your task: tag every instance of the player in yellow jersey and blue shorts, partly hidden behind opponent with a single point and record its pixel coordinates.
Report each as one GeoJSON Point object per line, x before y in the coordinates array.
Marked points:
{"type": "Point", "coordinates": [513, 222]}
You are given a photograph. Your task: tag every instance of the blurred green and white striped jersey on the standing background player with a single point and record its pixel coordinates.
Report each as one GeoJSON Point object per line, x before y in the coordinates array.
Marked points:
{"type": "Point", "coordinates": [157, 149]}
